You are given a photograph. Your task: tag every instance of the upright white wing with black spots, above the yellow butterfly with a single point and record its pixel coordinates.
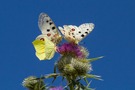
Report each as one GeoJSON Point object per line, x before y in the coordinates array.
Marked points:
{"type": "Point", "coordinates": [48, 28]}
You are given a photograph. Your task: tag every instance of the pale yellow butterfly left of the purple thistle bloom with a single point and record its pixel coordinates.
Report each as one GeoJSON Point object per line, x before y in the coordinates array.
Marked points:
{"type": "Point", "coordinates": [44, 49]}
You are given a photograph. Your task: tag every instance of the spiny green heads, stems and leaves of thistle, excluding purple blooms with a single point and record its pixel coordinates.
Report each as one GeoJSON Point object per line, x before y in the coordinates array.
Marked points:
{"type": "Point", "coordinates": [73, 66]}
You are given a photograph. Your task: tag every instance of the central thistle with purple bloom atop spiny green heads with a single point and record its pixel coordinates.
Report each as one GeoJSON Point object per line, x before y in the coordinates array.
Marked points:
{"type": "Point", "coordinates": [73, 64]}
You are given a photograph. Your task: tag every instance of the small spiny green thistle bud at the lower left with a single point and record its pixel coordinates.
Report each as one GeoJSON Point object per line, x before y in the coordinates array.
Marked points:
{"type": "Point", "coordinates": [32, 83]}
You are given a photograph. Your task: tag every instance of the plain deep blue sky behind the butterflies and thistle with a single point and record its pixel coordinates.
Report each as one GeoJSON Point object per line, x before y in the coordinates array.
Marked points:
{"type": "Point", "coordinates": [113, 37]}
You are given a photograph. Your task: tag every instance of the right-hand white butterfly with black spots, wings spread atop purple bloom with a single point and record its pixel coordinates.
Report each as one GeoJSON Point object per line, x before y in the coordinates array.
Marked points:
{"type": "Point", "coordinates": [75, 34]}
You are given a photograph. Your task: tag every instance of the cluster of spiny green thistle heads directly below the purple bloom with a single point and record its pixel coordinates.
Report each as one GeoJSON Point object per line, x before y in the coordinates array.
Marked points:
{"type": "Point", "coordinates": [69, 65]}
